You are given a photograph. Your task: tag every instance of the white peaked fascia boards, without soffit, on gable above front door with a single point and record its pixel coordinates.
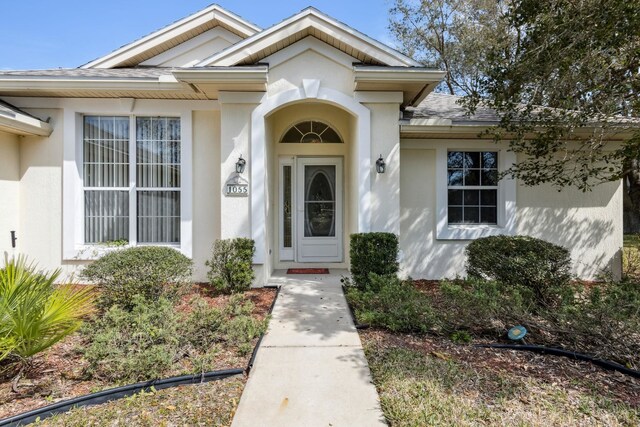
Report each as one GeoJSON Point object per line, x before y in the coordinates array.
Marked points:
{"type": "Point", "coordinates": [308, 18]}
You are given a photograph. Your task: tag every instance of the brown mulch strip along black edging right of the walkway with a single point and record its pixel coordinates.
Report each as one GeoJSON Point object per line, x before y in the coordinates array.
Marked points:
{"type": "Point", "coordinates": [559, 371]}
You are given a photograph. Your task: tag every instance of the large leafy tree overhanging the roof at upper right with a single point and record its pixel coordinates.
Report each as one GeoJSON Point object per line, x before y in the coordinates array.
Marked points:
{"type": "Point", "coordinates": [566, 88]}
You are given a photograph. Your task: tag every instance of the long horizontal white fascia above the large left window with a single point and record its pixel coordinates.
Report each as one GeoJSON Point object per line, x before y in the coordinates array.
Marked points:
{"type": "Point", "coordinates": [99, 84]}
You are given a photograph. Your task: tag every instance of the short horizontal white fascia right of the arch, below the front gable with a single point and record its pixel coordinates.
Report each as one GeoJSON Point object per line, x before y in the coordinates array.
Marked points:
{"type": "Point", "coordinates": [370, 74]}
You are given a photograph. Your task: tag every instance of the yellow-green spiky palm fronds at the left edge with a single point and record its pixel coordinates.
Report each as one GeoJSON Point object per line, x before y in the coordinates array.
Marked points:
{"type": "Point", "coordinates": [34, 312]}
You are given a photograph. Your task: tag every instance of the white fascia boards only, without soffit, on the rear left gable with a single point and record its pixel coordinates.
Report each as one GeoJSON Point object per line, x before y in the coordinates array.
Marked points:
{"type": "Point", "coordinates": [156, 38]}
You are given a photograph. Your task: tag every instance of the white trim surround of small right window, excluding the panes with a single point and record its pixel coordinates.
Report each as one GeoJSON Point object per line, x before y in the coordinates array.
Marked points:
{"type": "Point", "coordinates": [506, 223]}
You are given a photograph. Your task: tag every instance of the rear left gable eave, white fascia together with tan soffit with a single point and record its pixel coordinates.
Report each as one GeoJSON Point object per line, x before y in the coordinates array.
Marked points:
{"type": "Point", "coordinates": [172, 35]}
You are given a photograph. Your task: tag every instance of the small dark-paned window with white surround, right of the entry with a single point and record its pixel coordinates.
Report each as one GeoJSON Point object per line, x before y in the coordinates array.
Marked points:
{"type": "Point", "coordinates": [471, 202]}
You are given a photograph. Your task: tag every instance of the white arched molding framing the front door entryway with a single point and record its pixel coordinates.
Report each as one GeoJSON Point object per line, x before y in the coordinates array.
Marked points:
{"type": "Point", "coordinates": [259, 159]}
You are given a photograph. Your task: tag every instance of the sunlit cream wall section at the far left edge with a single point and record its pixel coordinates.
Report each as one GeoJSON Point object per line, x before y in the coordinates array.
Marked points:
{"type": "Point", "coordinates": [10, 192]}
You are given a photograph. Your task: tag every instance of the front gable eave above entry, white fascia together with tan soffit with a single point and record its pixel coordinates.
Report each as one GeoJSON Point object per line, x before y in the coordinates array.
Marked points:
{"type": "Point", "coordinates": [309, 22]}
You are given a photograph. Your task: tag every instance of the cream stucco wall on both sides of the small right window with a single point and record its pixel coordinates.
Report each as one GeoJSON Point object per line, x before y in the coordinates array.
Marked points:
{"type": "Point", "coordinates": [589, 224]}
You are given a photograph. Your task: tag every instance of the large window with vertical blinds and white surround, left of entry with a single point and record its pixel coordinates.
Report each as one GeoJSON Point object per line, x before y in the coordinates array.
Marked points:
{"type": "Point", "coordinates": [156, 209]}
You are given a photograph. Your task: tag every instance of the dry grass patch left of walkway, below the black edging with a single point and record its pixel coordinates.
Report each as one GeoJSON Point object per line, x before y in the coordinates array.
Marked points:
{"type": "Point", "coordinates": [210, 404]}
